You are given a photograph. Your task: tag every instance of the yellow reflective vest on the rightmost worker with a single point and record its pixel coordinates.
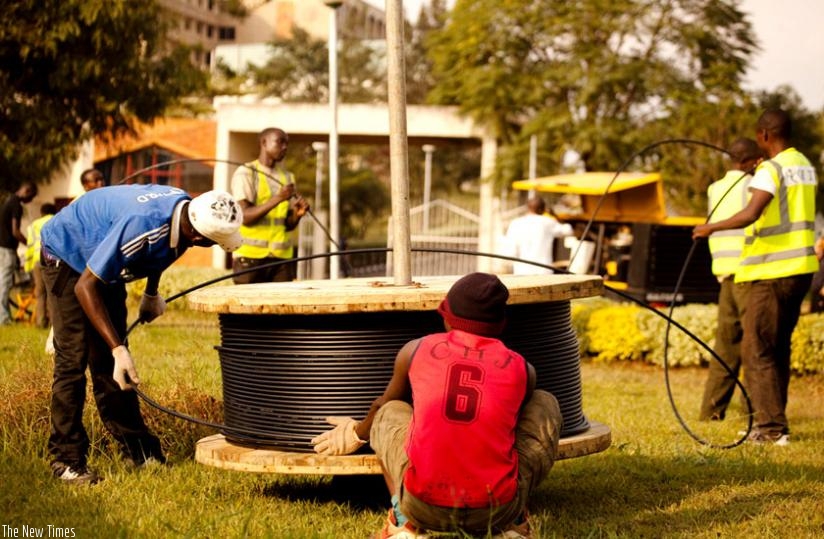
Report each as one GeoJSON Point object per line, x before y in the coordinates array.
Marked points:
{"type": "Point", "coordinates": [780, 243]}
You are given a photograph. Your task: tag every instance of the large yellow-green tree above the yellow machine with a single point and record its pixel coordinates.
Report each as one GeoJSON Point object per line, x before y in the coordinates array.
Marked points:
{"type": "Point", "coordinates": [593, 74]}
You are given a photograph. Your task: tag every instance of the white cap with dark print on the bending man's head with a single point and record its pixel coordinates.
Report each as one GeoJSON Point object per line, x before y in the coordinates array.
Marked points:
{"type": "Point", "coordinates": [217, 216]}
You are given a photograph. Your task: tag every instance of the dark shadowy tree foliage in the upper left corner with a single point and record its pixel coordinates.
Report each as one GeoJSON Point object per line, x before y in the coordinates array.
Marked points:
{"type": "Point", "coordinates": [73, 69]}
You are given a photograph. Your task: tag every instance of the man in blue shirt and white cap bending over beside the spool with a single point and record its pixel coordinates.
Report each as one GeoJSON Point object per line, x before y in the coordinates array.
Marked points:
{"type": "Point", "coordinates": [90, 249]}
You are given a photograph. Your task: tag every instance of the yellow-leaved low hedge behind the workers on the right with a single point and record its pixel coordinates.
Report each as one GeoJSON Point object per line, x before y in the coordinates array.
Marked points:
{"type": "Point", "coordinates": [609, 331]}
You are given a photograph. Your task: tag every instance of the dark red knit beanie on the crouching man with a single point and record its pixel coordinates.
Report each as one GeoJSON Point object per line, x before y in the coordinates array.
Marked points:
{"type": "Point", "coordinates": [476, 303]}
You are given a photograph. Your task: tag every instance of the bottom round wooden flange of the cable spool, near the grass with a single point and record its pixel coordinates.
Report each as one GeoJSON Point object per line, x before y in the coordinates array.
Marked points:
{"type": "Point", "coordinates": [216, 451]}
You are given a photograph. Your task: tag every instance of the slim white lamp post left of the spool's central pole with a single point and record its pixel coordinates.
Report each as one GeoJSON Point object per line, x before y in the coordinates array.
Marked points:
{"type": "Point", "coordinates": [334, 203]}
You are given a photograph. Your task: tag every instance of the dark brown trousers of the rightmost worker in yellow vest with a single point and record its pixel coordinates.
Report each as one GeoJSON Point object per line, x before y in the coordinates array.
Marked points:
{"type": "Point", "coordinates": [773, 307]}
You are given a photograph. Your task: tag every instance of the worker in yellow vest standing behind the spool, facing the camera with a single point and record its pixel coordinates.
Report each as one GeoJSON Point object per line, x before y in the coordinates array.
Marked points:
{"type": "Point", "coordinates": [265, 190]}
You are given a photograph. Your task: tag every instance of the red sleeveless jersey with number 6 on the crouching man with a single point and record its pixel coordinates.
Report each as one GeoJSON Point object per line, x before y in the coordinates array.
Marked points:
{"type": "Point", "coordinates": [467, 391]}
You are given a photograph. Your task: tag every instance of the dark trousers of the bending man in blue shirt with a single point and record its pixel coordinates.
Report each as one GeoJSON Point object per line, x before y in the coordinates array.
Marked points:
{"type": "Point", "coordinates": [78, 346]}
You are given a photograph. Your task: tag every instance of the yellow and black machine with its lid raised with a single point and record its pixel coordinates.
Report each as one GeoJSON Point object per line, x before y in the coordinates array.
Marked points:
{"type": "Point", "coordinates": [637, 246]}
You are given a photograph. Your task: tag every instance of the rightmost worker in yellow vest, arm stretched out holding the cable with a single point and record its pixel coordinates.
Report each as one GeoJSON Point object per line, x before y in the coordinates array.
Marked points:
{"type": "Point", "coordinates": [776, 269]}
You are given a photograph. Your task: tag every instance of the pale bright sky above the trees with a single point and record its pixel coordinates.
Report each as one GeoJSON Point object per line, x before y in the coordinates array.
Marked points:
{"type": "Point", "coordinates": [791, 35]}
